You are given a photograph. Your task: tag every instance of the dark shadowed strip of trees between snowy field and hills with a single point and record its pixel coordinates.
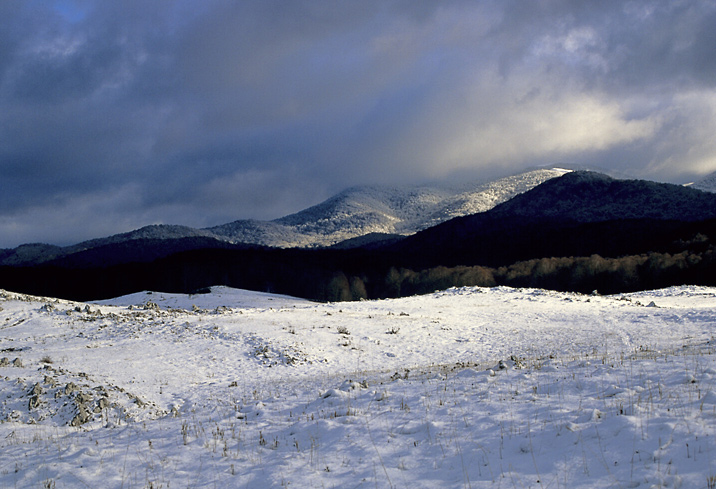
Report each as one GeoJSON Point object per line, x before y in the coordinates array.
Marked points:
{"type": "Point", "coordinates": [340, 275]}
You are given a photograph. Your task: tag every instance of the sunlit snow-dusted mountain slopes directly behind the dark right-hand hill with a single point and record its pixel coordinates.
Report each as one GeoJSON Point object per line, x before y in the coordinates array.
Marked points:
{"type": "Point", "coordinates": [380, 209]}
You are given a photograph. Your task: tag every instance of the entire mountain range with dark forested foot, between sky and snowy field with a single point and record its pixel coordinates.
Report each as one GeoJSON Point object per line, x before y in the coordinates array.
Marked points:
{"type": "Point", "coordinates": [585, 229]}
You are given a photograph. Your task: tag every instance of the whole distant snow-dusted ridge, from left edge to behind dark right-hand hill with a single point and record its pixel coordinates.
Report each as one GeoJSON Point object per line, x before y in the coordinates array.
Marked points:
{"type": "Point", "coordinates": [353, 213]}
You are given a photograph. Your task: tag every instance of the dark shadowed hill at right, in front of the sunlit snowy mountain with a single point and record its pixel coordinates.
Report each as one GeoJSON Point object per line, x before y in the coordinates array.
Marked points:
{"type": "Point", "coordinates": [578, 214]}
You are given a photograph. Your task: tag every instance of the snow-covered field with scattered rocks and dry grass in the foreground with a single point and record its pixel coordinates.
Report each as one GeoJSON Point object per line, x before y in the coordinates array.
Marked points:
{"type": "Point", "coordinates": [466, 388]}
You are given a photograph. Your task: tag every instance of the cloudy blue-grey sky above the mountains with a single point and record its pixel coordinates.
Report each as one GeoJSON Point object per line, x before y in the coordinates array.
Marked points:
{"type": "Point", "coordinates": [117, 115]}
